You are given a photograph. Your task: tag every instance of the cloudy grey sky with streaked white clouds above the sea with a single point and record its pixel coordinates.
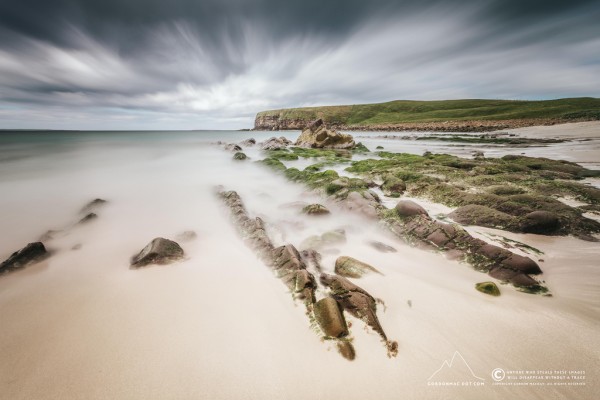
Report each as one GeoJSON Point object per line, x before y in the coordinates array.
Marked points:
{"type": "Point", "coordinates": [213, 64]}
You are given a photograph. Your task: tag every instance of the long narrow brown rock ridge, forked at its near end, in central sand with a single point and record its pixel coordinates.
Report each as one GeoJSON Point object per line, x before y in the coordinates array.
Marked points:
{"type": "Point", "coordinates": [292, 268]}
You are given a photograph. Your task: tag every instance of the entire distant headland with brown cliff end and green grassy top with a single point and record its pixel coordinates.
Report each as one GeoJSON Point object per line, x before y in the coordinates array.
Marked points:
{"type": "Point", "coordinates": [442, 115]}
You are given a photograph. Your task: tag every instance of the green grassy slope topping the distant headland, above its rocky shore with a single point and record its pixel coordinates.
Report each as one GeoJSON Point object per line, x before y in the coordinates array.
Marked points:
{"type": "Point", "coordinates": [406, 111]}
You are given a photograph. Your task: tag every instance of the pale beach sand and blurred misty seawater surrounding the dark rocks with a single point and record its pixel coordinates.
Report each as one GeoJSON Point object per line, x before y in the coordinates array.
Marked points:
{"type": "Point", "coordinates": [219, 325]}
